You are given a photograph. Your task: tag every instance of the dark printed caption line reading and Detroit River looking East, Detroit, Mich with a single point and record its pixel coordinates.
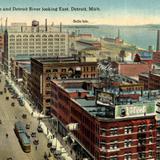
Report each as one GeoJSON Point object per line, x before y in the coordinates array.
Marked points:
{"type": "Point", "coordinates": [50, 9]}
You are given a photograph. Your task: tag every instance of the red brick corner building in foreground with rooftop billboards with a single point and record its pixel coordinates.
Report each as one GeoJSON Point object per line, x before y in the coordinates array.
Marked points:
{"type": "Point", "coordinates": [101, 127]}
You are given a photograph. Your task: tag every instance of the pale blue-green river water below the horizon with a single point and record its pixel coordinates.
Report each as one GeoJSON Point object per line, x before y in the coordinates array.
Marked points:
{"type": "Point", "coordinates": [141, 36]}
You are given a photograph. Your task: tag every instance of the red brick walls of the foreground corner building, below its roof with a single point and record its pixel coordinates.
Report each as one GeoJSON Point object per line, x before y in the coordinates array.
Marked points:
{"type": "Point", "coordinates": [105, 139]}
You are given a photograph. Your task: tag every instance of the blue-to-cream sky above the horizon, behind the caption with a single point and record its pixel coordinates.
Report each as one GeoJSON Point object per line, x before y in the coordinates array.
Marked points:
{"type": "Point", "coordinates": [111, 12]}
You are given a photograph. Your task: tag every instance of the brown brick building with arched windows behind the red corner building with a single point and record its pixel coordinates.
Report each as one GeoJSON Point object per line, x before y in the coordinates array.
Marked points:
{"type": "Point", "coordinates": [43, 70]}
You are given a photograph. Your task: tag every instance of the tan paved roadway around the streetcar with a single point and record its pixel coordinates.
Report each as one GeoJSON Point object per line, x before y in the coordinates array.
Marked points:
{"type": "Point", "coordinates": [10, 147]}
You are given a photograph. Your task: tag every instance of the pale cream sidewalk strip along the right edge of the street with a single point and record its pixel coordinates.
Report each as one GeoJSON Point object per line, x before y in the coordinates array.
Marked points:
{"type": "Point", "coordinates": [46, 131]}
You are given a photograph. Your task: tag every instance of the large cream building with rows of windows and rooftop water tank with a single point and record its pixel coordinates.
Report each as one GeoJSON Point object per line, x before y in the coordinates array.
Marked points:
{"type": "Point", "coordinates": [35, 41]}
